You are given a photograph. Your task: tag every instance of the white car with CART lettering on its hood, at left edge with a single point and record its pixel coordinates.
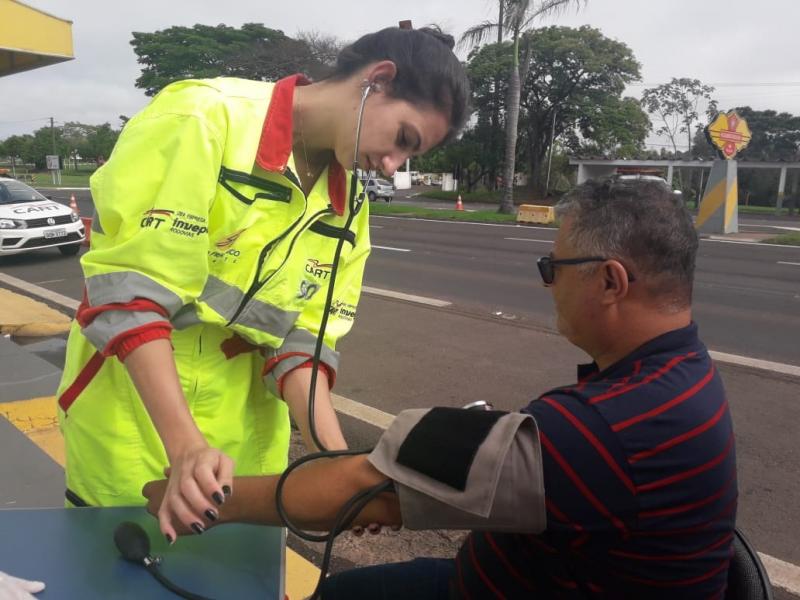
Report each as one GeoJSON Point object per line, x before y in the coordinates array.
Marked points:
{"type": "Point", "coordinates": [30, 221]}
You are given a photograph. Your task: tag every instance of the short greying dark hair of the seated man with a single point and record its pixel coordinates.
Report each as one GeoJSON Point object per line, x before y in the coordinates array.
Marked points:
{"type": "Point", "coordinates": [642, 224]}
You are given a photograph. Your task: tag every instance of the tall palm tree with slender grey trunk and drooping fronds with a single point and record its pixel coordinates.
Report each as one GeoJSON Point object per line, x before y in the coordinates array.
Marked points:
{"type": "Point", "coordinates": [516, 16]}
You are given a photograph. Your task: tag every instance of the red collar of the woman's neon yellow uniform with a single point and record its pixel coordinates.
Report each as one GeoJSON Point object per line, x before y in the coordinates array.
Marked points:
{"type": "Point", "coordinates": [275, 145]}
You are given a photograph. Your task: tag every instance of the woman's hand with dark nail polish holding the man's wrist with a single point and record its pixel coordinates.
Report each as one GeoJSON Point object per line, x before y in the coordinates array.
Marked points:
{"type": "Point", "coordinates": [199, 481]}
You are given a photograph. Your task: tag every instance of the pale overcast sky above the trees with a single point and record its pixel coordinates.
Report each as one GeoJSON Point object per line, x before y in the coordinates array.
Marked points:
{"type": "Point", "coordinates": [717, 41]}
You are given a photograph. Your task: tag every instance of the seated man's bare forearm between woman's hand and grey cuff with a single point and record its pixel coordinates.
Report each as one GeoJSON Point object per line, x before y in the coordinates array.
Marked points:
{"type": "Point", "coordinates": [312, 495]}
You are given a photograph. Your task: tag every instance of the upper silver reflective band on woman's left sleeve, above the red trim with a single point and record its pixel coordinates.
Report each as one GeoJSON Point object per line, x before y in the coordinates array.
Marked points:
{"type": "Point", "coordinates": [125, 286]}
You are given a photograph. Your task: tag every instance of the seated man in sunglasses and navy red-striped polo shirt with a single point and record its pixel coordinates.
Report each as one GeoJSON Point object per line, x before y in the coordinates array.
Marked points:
{"type": "Point", "coordinates": [637, 458]}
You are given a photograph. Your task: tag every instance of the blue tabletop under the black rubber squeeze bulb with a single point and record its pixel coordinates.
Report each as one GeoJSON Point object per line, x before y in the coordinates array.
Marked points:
{"type": "Point", "coordinates": [73, 552]}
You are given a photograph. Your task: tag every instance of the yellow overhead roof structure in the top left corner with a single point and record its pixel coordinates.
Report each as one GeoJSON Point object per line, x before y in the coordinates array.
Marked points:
{"type": "Point", "coordinates": [31, 38]}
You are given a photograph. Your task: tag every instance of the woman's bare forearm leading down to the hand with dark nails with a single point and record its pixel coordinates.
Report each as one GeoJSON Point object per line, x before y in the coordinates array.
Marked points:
{"type": "Point", "coordinates": [152, 370]}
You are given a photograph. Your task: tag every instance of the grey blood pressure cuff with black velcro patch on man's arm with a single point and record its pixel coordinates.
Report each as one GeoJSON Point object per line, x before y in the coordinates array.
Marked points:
{"type": "Point", "coordinates": [465, 469]}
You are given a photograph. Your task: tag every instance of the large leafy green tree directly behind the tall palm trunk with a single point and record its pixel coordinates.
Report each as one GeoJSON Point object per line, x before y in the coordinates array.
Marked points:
{"type": "Point", "coordinates": [576, 75]}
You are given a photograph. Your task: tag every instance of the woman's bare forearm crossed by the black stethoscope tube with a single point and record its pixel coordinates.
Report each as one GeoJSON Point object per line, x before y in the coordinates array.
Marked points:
{"type": "Point", "coordinates": [296, 385]}
